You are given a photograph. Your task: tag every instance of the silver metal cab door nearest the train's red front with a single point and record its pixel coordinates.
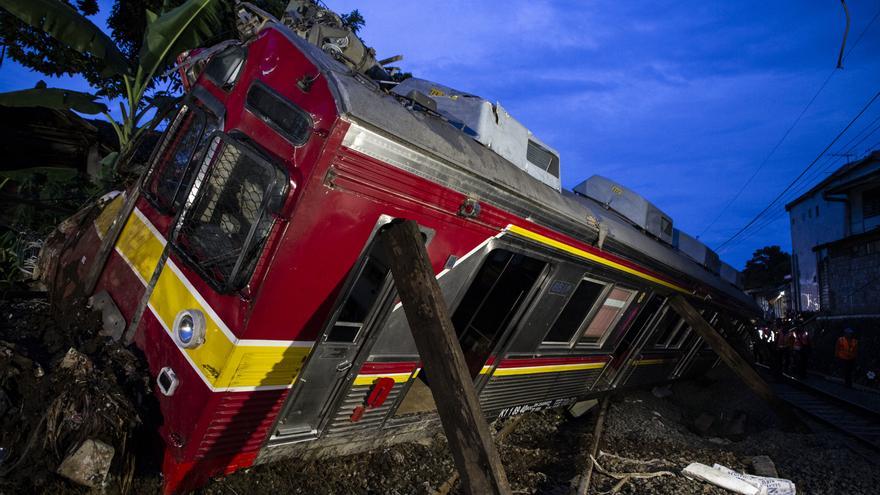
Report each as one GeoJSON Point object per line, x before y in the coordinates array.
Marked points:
{"type": "Point", "coordinates": [366, 299]}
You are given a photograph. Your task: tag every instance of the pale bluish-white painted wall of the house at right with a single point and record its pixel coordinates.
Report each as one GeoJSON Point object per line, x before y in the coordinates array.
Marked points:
{"type": "Point", "coordinates": [813, 221]}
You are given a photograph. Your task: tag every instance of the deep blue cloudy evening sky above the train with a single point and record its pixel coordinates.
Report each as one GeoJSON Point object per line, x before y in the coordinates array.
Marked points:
{"type": "Point", "coordinates": [680, 101]}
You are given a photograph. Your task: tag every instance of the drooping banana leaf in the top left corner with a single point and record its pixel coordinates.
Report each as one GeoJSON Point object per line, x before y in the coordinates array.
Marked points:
{"type": "Point", "coordinates": [66, 25]}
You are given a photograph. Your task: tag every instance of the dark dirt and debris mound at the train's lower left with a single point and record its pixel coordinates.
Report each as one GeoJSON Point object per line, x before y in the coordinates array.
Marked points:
{"type": "Point", "coordinates": [60, 385]}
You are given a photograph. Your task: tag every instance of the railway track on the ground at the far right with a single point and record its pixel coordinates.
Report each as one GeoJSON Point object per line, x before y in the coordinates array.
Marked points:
{"type": "Point", "coordinates": [853, 419]}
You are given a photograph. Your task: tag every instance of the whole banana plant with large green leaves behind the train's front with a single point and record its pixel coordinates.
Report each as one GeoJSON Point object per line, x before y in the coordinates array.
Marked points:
{"type": "Point", "coordinates": [190, 25]}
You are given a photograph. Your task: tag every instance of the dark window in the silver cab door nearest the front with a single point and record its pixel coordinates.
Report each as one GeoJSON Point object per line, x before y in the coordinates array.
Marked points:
{"type": "Point", "coordinates": [362, 297]}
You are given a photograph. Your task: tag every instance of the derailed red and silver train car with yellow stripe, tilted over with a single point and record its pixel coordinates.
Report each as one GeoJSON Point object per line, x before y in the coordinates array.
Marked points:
{"type": "Point", "coordinates": [250, 275]}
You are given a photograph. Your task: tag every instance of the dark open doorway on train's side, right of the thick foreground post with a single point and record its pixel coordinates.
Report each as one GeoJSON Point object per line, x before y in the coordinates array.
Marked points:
{"type": "Point", "coordinates": [498, 290]}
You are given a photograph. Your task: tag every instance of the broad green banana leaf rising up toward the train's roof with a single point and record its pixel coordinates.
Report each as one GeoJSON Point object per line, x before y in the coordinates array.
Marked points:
{"type": "Point", "coordinates": [188, 26]}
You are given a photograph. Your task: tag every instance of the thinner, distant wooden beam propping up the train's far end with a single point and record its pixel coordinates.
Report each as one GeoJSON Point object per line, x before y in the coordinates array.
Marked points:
{"type": "Point", "coordinates": [731, 357]}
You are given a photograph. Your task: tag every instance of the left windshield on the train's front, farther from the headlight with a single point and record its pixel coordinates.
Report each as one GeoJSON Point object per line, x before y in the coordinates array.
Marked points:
{"type": "Point", "coordinates": [171, 170]}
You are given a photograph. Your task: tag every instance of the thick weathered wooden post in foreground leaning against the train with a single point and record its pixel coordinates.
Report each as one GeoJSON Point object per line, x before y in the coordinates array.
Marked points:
{"type": "Point", "coordinates": [466, 430]}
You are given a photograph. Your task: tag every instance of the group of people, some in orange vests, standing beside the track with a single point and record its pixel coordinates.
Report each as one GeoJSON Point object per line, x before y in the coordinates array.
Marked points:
{"type": "Point", "coordinates": [786, 347]}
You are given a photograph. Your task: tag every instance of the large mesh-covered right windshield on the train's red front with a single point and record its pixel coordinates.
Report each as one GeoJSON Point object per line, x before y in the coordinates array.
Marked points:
{"type": "Point", "coordinates": [224, 229]}
